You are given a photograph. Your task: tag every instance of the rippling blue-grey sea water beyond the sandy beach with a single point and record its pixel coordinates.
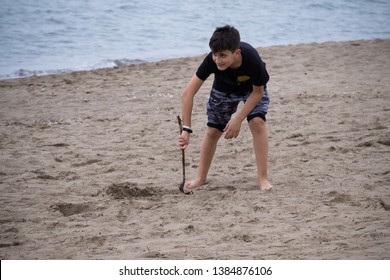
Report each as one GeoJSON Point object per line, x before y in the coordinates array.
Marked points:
{"type": "Point", "coordinates": [49, 36]}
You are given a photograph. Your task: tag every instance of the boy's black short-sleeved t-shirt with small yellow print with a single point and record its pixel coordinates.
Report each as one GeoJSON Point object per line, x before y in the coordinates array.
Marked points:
{"type": "Point", "coordinates": [240, 80]}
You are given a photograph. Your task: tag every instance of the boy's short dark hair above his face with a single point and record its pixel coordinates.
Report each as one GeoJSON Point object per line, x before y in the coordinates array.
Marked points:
{"type": "Point", "coordinates": [225, 38]}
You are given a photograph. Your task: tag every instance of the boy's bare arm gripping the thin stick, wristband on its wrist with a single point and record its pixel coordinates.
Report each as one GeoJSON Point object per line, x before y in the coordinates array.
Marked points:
{"type": "Point", "coordinates": [187, 102]}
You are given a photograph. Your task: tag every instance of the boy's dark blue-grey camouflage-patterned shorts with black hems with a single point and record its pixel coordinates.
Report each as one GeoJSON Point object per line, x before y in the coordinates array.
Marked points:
{"type": "Point", "coordinates": [222, 106]}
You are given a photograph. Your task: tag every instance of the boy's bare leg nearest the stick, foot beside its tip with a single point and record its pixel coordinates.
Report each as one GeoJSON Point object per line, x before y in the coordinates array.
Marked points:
{"type": "Point", "coordinates": [209, 145]}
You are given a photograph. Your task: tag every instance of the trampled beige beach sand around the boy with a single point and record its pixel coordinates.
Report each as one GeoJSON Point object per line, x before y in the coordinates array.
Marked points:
{"type": "Point", "coordinates": [90, 164]}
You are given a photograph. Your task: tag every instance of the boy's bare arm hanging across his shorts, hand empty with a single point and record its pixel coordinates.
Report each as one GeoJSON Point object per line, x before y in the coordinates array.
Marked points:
{"type": "Point", "coordinates": [232, 129]}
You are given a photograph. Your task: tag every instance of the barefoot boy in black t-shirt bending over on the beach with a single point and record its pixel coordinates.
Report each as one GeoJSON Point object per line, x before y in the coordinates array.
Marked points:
{"type": "Point", "coordinates": [239, 75]}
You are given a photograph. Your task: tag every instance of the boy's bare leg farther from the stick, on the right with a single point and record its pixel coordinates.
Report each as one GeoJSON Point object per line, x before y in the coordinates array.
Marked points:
{"type": "Point", "coordinates": [259, 131]}
